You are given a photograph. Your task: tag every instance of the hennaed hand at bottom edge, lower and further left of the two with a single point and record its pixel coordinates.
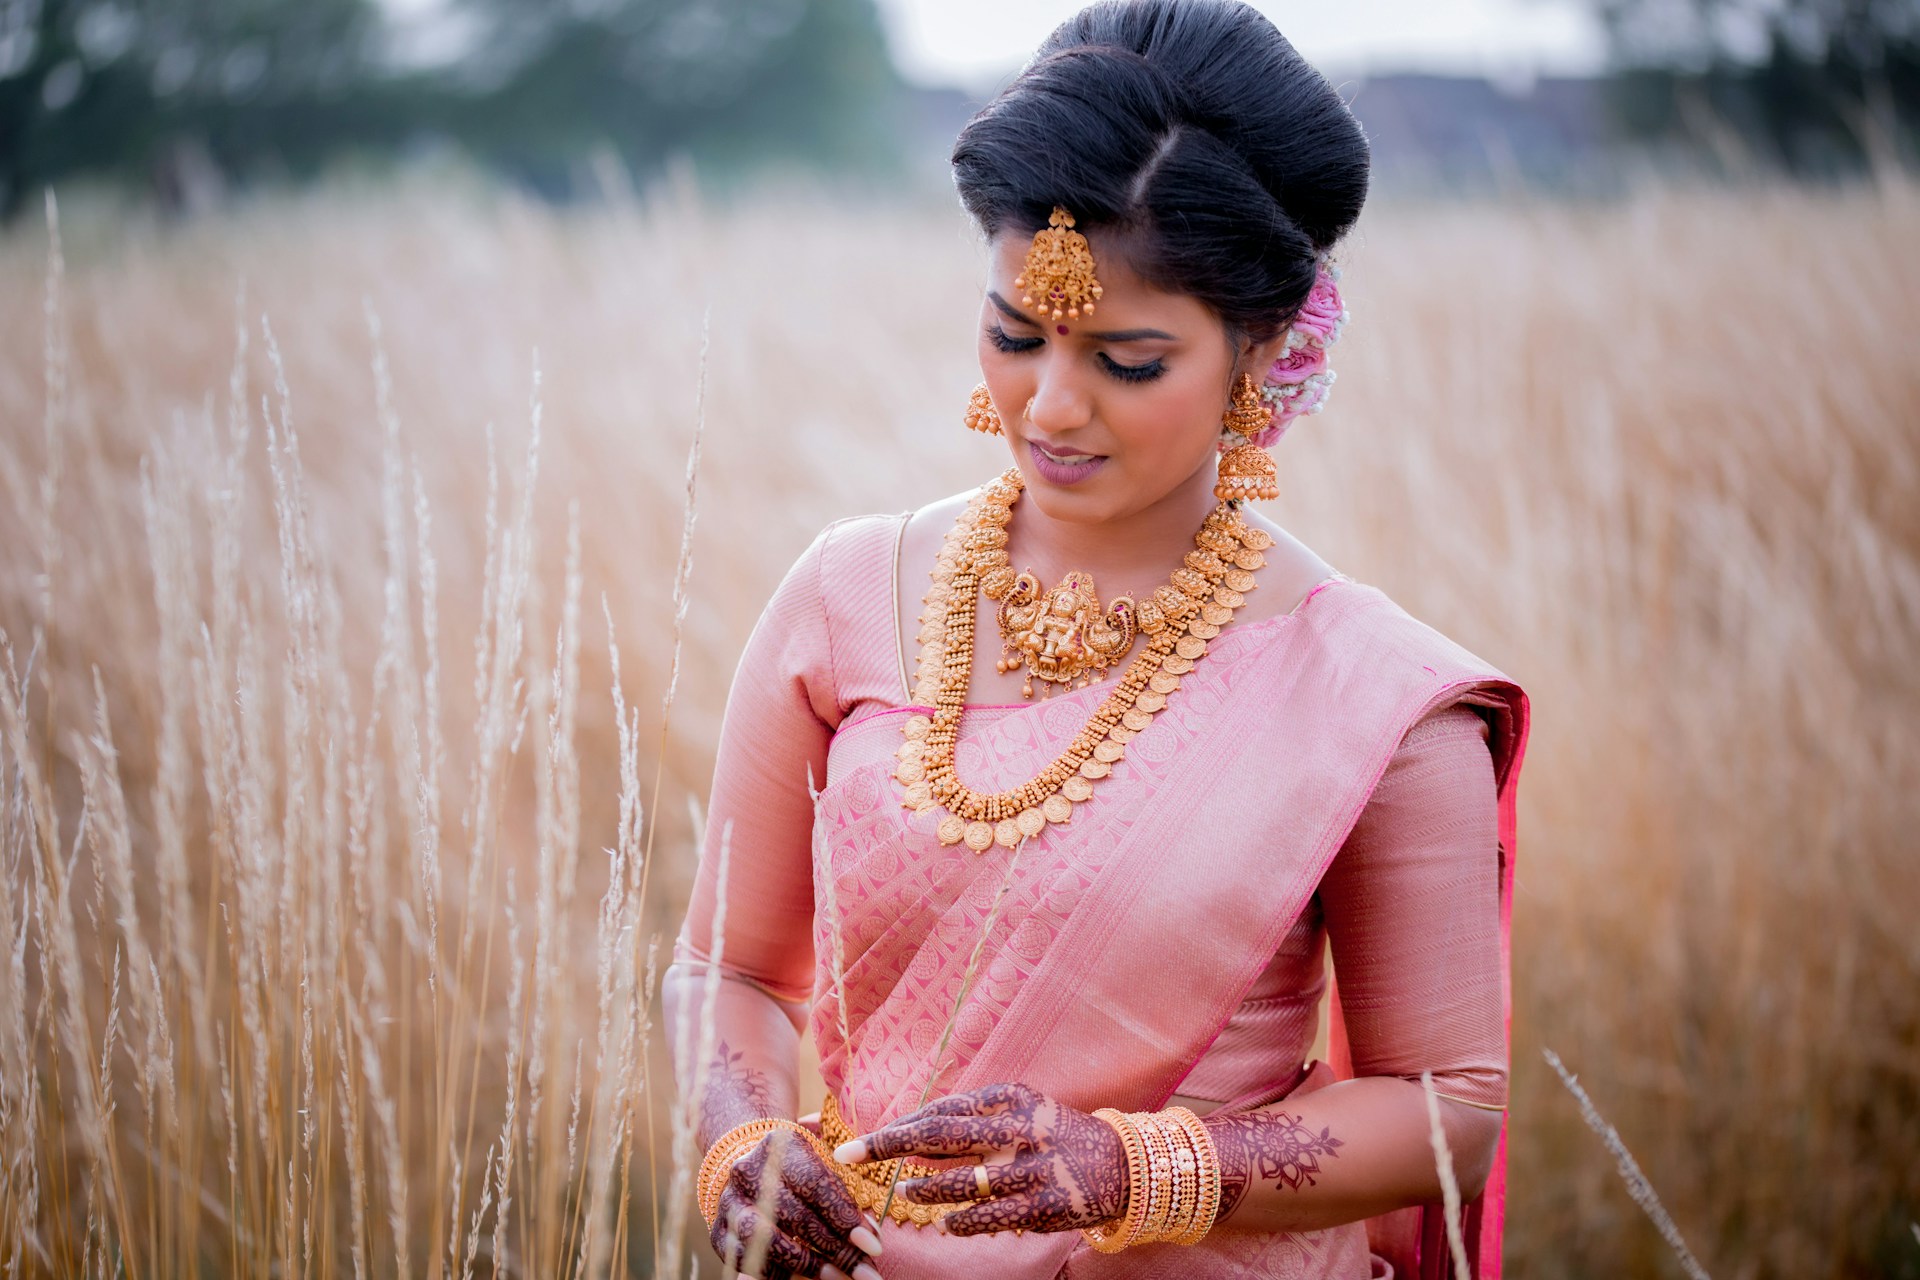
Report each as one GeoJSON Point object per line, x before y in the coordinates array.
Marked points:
{"type": "Point", "coordinates": [817, 1227]}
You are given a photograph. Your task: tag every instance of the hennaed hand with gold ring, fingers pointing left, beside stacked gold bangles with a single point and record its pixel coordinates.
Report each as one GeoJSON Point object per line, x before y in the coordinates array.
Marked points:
{"type": "Point", "coordinates": [1049, 1168]}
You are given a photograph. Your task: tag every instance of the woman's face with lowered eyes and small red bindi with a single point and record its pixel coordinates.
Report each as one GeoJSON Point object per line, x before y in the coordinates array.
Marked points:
{"type": "Point", "coordinates": [1113, 414]}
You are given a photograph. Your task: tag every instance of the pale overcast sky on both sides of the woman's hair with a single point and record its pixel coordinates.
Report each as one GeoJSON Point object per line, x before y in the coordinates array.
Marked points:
{"type": "Point", "coordinates": [978, 43]}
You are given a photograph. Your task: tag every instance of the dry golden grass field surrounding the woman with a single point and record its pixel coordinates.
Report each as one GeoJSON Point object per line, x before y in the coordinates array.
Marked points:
{"type": "Point", "coordinates": [339, 853]}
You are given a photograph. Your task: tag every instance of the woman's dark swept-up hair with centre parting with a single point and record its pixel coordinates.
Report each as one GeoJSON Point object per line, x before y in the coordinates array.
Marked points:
{"type": "Point", "coordinates": [1193, 131]}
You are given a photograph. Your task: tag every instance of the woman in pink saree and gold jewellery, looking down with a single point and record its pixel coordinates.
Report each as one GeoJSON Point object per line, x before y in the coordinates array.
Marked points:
{"type": "Point", "coordinates": [1107, 886]}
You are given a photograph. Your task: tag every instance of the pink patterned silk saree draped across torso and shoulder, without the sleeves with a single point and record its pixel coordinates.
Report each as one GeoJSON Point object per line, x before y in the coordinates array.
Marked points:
{"type": "Point", "coordinates": [1124, 941]}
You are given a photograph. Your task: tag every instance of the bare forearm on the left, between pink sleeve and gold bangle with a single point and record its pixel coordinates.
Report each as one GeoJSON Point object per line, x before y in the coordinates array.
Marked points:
{"type": "Point", "coordinates": [754, 1068]}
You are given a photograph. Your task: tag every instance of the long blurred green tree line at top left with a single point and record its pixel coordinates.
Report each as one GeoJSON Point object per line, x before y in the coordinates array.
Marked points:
{"type": "Point", "coordinates": [187, 97]}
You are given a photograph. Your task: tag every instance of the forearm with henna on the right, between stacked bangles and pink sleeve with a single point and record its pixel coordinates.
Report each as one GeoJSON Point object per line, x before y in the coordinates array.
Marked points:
{"type": "Point", "coordinates": [1341, 1154]}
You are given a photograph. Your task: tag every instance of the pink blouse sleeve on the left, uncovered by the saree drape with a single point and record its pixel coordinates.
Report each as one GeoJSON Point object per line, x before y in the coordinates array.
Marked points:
{"type": "Point", "coordinates": [780, 715]}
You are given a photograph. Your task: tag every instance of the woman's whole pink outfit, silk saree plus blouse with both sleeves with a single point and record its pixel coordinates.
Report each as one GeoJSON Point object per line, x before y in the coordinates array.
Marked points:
{"type": "Point", "coordinates": [1335, 776]}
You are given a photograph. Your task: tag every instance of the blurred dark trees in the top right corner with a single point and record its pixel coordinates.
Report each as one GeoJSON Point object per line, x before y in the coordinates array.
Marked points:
{"type": "Point", "coordinates": [1819, 89]}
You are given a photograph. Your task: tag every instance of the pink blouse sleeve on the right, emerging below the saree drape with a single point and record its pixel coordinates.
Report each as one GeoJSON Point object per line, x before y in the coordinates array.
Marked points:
{"type": "Point", "coordinates": [1412, 907]}
